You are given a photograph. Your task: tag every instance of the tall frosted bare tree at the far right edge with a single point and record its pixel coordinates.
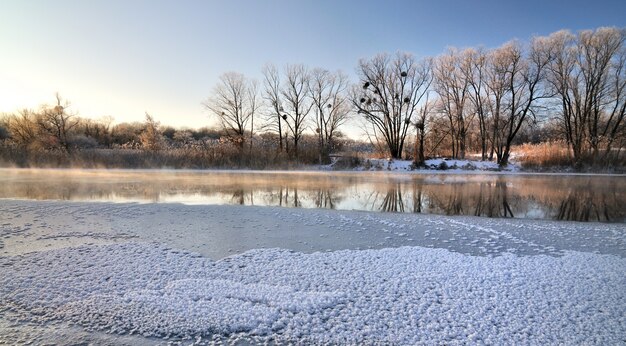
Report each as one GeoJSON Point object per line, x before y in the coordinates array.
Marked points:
{"type": "Point", "coordinates": [588, 73]}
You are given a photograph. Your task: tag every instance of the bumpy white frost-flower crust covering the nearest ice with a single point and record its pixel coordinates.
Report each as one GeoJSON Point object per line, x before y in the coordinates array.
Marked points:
{"type": "Point", "coordinates": [407, 295]}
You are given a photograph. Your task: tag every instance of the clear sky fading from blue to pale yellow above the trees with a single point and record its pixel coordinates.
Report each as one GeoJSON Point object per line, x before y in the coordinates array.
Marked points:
{"type": "Point", "coordinates": [123, 58]}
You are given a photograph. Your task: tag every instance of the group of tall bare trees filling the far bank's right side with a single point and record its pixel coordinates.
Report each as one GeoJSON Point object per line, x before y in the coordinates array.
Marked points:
{"type": "Point", "coordinates": [563, 87]}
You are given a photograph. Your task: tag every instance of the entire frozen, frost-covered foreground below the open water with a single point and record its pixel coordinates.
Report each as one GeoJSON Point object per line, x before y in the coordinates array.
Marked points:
{"type": "Point", "coordinates": [166, 272]}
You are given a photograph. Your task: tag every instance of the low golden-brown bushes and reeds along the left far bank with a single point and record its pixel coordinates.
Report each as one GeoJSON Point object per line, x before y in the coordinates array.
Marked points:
{"type": "Point", "coordinates": [53, 136]}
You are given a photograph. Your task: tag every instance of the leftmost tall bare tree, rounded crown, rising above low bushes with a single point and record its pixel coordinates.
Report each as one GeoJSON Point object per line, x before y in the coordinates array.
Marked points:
{"type": "Point", "coordinates": [233, 104]}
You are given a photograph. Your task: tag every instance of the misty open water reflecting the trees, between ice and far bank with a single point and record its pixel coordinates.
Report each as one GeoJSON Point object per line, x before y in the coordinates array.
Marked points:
{"type": "Point", "coordinates": [556, 197]}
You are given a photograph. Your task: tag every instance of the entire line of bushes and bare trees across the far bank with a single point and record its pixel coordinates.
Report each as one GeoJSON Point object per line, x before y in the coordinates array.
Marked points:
{"type": "Point", "coordinates": [565, 89]}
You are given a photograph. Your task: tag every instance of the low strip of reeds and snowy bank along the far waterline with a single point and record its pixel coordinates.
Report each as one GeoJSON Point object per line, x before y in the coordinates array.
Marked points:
{"type": "Point", "coordinates": [197, 159]}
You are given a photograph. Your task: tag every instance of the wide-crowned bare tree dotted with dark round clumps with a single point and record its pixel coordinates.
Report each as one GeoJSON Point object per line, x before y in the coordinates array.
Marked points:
{"type": "Point", "coordinates": [389, 95]}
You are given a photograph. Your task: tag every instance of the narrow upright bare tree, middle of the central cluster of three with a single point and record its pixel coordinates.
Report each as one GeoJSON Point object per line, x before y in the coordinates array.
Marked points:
{"type": "Point", "coordinates": [297, 103]}
